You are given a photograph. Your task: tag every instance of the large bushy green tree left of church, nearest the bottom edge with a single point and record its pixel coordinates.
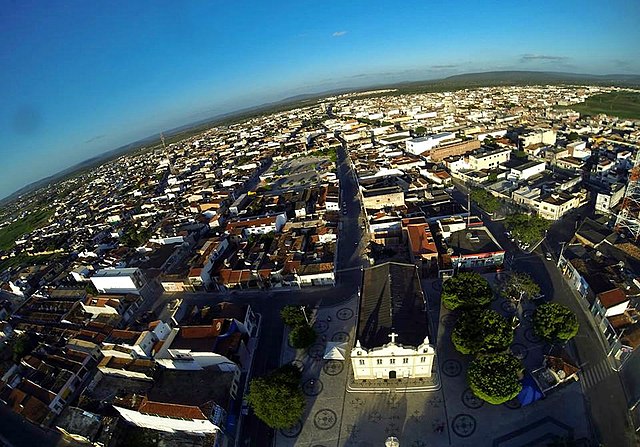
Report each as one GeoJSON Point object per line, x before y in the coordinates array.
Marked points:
{"type": "Point", "coordinates": [277, 399]}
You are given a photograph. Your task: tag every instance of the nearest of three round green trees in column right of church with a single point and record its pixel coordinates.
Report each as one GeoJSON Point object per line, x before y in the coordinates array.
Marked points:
{"type": "Point", "coordinates": [495, 378]}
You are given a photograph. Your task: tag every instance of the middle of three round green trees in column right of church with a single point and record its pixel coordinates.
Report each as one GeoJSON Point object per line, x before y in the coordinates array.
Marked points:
{"type": "Point", "coordinates": [481, 331]}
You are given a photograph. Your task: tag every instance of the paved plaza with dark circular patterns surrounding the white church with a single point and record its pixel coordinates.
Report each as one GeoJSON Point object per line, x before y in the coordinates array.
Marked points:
{"type": "Point", "coordinates": [447, 414]}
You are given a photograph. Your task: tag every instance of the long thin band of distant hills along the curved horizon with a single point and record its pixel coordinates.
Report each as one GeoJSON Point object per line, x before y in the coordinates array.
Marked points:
{"type": "Point", "coordinates": [456, 82]}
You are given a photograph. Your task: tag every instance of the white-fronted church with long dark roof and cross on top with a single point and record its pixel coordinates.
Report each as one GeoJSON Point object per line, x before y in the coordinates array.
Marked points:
{"type": "Point", "coordinates": [392, 337]}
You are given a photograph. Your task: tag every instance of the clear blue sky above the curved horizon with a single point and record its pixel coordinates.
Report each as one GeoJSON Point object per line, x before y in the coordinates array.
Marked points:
{"type": "Point", "coordinates": [79, 78]}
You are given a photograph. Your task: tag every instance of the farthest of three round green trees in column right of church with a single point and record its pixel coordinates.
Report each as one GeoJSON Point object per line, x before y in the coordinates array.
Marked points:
{"type": "Point", "coordinates": [466, 291]}
